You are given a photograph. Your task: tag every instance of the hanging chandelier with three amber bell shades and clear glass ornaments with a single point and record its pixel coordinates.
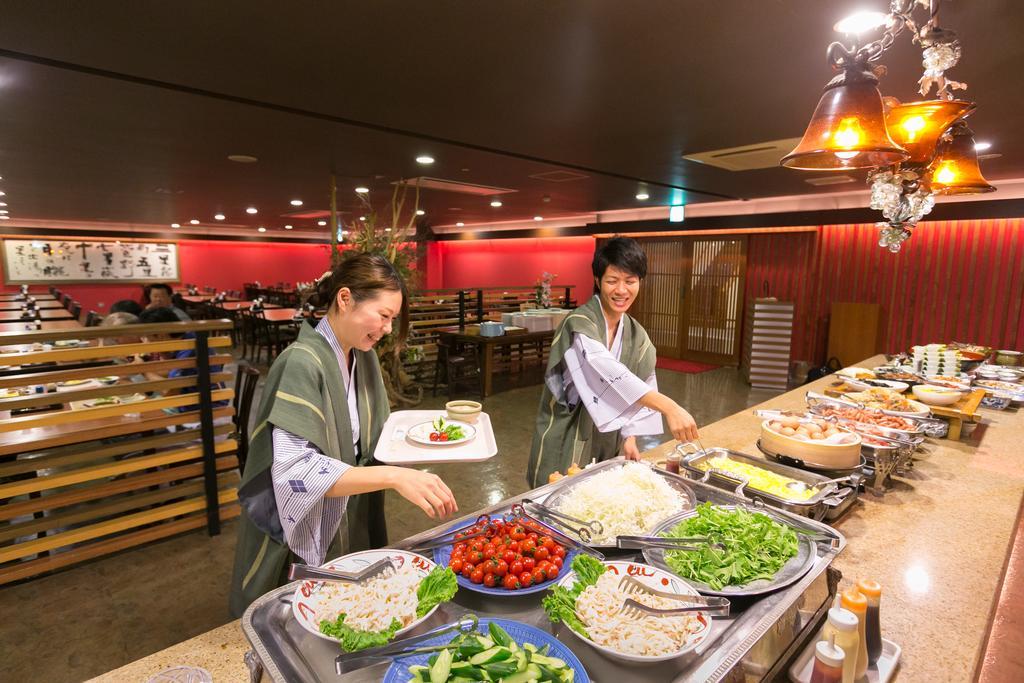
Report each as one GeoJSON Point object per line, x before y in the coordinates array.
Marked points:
{"type": "Point", "coordinates": [915, 151]}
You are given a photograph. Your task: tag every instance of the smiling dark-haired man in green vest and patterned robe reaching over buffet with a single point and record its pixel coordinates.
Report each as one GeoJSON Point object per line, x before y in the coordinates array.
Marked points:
{"type": "Point", "coordinates": [601, 389]}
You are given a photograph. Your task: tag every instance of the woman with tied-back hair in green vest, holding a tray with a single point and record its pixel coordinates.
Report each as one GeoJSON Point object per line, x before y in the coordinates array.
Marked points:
{"type": "Point", "coordinates": [309, 492]}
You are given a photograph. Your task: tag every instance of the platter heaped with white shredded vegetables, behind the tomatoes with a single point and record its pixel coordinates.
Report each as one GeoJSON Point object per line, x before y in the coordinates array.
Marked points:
{"type": "Point", "coordinates": [627, 498]}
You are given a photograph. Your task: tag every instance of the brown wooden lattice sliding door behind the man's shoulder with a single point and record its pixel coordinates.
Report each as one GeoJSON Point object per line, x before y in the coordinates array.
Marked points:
{"type": "Point", "coordinates": [692, 303]}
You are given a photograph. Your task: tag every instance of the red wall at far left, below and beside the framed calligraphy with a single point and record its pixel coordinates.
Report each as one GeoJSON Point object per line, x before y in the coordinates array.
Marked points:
{"type": "Point", "coordinates": [225, 266]}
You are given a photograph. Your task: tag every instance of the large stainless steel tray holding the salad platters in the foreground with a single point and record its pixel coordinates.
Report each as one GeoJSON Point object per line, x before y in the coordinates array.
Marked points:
{"type": "Point", "coordinates": [752, 644]}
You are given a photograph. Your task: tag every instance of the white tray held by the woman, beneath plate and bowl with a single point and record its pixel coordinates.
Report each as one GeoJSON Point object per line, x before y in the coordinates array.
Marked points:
{"type": "Point", "coordinates": [395, 449]}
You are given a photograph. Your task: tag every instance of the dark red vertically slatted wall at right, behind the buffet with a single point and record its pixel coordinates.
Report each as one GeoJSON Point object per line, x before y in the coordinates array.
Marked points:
{"type": "Point", "coordinates": [954, 281]}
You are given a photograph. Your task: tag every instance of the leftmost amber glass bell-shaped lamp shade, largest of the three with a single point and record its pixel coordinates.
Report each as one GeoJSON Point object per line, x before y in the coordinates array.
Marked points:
{"type": "Point", "coordinates": [847, 132]}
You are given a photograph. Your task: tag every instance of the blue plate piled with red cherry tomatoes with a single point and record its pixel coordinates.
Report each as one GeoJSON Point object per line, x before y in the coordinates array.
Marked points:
{"type": "Point", "coordinates": [511, 559]}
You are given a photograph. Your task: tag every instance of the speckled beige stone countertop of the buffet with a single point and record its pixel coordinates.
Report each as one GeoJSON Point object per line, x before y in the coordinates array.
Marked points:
{"type": "Point", "coordinates": [936, 541]}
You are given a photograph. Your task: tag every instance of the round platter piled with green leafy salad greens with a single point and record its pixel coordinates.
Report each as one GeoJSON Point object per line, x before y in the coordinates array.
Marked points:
{"type": "Point", "coordinates": [761, 552]}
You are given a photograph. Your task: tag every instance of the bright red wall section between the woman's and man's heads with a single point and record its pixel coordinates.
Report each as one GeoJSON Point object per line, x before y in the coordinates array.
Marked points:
{"type": "Point", "coordinates": [475, 264]}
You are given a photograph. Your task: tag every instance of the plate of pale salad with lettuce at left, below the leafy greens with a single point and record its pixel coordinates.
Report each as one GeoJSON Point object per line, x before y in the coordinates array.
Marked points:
{"type": "Point", "coordinates": [588, 599]}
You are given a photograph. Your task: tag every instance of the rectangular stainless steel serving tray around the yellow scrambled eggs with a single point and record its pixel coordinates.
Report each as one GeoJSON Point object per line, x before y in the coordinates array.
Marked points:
{"type": "Point", "coordinates": [814, 507]}
